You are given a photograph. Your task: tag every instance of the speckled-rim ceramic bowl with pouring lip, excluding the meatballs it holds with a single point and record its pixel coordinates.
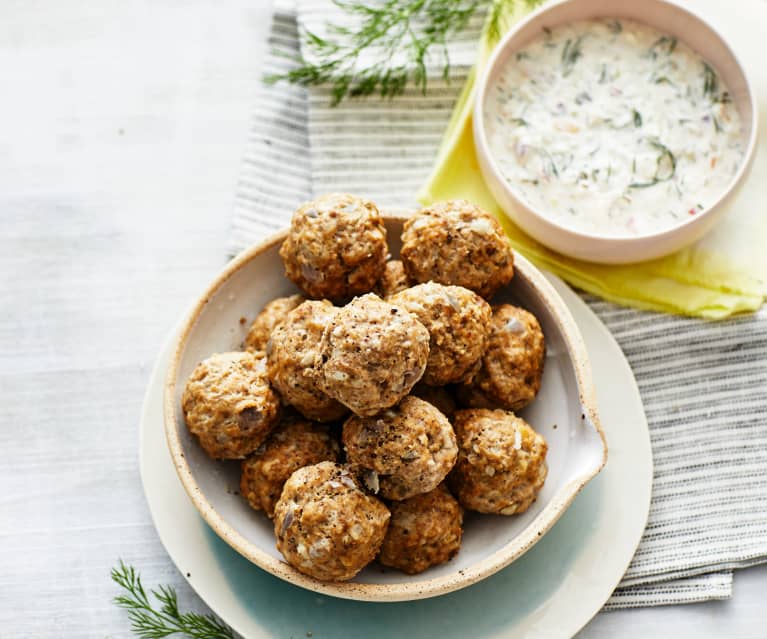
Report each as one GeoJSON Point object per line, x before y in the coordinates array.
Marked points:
{"type": "Point", "coordinates": [564, 412]}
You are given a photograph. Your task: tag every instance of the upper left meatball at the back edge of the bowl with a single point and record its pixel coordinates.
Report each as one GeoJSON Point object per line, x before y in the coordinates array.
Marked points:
{"type": "Point", "coordinates": [336, 247]}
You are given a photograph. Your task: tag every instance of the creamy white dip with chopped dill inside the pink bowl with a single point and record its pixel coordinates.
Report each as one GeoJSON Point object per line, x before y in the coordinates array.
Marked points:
{"type": "Point", "coordinates": [612, 128]}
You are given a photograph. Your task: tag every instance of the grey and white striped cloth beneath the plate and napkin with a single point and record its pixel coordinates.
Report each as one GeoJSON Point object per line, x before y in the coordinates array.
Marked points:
{"type": "Point", "coordinates": [703, 384]}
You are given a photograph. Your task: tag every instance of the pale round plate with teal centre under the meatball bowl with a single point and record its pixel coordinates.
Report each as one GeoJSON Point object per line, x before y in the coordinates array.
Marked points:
{"type": "Point", "coordinates": [551, 591]}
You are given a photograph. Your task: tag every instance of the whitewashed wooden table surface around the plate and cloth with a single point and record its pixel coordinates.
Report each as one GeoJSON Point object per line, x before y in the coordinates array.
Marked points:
{"type": "Point", "coordinates": [123, 125]}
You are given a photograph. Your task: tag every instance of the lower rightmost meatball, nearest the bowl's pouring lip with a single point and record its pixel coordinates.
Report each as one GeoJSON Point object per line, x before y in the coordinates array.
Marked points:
{"type": "Point", "coordinates": [501, 463]}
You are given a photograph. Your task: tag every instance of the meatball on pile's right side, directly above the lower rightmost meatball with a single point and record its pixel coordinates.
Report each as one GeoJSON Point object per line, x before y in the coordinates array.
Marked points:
{"type": "Point", "coordinates": [512, 365]}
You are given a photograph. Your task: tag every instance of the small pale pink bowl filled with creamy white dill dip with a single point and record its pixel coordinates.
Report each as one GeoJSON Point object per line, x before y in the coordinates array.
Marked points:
{"type": "Point", "coordinates": [614, 132]}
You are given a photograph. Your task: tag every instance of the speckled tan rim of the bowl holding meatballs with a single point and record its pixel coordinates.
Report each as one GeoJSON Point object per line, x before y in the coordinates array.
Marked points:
{"type": "Point", "coordinates": [402, 591]}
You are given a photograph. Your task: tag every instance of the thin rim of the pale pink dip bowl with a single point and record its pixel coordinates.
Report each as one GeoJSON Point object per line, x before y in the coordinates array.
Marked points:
{"type": "Point", "coordinates": [500, 55]}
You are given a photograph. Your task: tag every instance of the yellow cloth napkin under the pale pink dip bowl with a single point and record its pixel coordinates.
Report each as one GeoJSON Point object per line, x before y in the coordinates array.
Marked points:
{"type": "Point", "coordinates": [722, 274]}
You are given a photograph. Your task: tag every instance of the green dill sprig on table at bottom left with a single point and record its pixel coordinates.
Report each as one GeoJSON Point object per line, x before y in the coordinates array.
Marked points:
{"type": "Point", "coordinates": [162, 619]}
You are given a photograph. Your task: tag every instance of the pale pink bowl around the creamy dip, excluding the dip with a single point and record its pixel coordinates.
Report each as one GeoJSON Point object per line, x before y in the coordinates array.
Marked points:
{"type": "Point", "coordinates": [666, 17]}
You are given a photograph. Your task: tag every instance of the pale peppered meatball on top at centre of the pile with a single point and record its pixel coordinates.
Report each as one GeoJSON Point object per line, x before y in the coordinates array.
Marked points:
{"type": "Point", "coordinates": [372, 353]}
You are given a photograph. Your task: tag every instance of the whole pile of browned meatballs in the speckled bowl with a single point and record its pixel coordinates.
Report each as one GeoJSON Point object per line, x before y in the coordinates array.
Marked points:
{"type": "Point", "coordinates": [374, 407]}
